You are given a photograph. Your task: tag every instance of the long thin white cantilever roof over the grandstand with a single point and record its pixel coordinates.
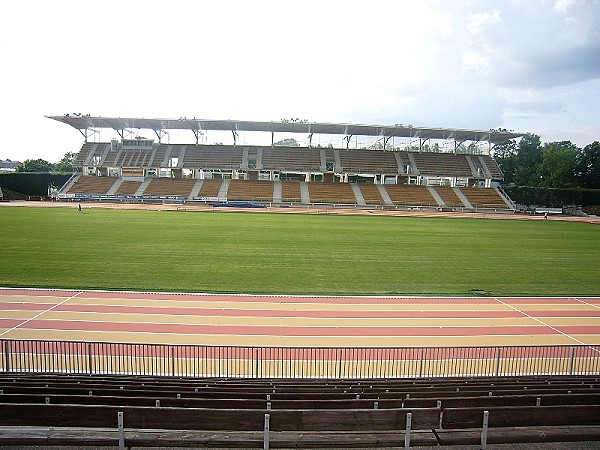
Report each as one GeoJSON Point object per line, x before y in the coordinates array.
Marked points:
{"type": "Point", "coordinates": [84, 122]}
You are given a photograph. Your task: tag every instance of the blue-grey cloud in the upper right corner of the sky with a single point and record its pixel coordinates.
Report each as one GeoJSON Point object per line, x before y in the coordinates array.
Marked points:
{"type": "Point", "coordinates": [534, 44]}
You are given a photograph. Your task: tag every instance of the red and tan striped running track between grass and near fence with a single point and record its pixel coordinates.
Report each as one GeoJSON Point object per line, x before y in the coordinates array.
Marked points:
{"type": "Point", "coordinates": [242, 320]}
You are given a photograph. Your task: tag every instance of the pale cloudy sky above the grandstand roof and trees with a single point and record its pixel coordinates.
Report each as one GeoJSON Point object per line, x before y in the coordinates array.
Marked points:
{"type": "Point", "coordinates": [531, 66]}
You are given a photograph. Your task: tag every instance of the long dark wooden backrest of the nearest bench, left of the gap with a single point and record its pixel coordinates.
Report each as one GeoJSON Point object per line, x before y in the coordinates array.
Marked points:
{"type": "Point", "coordinates": [365, 420]}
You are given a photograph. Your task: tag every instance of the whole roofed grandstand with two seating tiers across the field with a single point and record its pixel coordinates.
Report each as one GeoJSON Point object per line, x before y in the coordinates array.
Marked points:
{"type": "Point", "coordinates": [382, 176]}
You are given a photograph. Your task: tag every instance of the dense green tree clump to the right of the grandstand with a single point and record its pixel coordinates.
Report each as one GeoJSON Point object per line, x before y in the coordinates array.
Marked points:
{"type": "Point", "coordinates": [551, 165]}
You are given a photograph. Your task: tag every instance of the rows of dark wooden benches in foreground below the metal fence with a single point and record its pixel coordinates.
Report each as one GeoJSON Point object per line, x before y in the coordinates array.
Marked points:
{"type": "Point", "coordinates": [43, 409]}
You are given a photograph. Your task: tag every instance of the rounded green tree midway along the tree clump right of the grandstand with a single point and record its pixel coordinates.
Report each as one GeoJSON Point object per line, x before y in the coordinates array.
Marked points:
{"type": "Point", "coordinates": [557, 169]}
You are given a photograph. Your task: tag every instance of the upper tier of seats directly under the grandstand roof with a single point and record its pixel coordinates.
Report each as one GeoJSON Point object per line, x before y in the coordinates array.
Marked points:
{"type": "Point", "coordinates": [290, 159]}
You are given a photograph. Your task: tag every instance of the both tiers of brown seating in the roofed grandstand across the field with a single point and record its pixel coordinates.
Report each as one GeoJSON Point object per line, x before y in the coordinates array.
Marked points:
{"type": "Point", "coordinates": [321, 165]}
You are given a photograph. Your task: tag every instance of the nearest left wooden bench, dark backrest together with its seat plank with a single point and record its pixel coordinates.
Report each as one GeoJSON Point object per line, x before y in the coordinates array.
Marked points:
{"type": "Point", "coordinates": [88, 425]}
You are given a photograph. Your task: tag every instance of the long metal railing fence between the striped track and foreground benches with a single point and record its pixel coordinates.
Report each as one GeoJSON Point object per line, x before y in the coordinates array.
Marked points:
{"type": "Point", "coordinates": [295, 362]}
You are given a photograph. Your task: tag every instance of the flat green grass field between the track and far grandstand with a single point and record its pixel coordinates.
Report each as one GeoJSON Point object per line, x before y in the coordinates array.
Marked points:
{"type": "Point", "coordinates": [295, 254]}
